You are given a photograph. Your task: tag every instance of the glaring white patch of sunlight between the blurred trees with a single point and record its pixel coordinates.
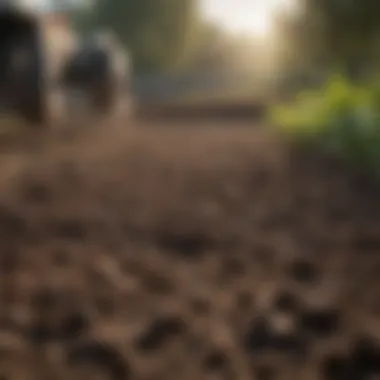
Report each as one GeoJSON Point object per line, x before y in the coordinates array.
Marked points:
{"type": "Point", "coordinates": [250, 17]}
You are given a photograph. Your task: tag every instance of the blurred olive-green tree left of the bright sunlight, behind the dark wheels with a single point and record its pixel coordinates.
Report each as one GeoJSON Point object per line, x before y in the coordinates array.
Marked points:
{"type": "Point", "coordinates": [161, 34]}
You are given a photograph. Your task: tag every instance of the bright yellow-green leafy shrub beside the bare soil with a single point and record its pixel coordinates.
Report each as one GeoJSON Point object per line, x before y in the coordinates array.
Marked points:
{"type": "Point", "coordinates": [342, 116]}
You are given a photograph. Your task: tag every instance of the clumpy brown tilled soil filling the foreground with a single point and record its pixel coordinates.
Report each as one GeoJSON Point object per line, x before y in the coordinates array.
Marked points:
{"type": "Point", "coordinates": [186, 253]}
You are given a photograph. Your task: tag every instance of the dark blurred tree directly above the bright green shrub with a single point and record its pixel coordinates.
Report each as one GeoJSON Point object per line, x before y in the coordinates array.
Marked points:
{"type": "Point", "coordinates": [331, 33]}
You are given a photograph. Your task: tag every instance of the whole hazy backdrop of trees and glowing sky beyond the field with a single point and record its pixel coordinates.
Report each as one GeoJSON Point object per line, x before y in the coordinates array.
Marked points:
{"type": "Point", "coordinates": [235, 47]}
